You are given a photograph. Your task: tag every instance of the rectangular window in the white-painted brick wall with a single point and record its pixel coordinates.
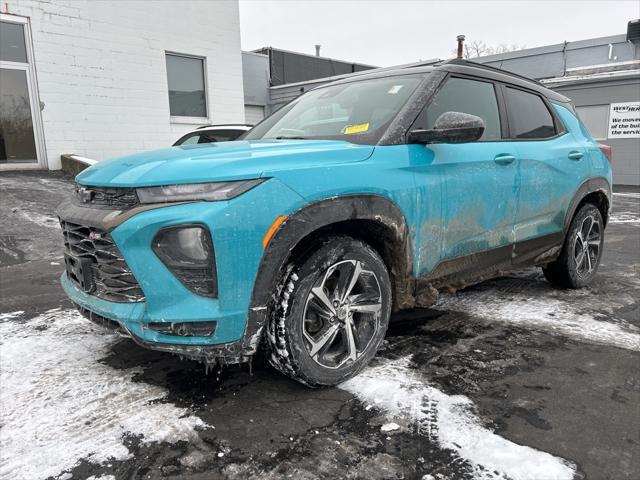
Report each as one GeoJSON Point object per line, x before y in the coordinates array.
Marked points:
{"type": "Point", "coordinates": [187, 93]}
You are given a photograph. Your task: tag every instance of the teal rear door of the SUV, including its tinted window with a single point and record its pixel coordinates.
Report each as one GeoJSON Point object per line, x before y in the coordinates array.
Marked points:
{"type": "Point", "coordinates": [551, 167]}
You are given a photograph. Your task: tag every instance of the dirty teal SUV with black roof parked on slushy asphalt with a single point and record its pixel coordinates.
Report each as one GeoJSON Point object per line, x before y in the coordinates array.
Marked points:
{"type": "Point", "coordinates": [359, 198]}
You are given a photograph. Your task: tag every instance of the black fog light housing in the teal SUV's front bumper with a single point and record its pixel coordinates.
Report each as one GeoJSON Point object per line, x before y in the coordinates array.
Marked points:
{"type": "Point", "coordinates": [187, 251]}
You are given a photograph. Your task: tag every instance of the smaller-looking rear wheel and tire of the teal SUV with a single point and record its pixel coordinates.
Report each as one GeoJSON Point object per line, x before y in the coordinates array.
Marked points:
{"type": "Point", "coordinates": [574, 268]}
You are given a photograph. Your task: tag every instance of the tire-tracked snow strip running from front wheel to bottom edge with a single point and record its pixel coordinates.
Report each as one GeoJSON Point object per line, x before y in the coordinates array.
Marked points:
{"type": "Point", "coordinates": [450, 420]}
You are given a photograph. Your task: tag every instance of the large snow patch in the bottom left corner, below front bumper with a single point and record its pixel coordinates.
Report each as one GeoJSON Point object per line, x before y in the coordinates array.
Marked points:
{"type": "Point", "coordinates": [60, 404]}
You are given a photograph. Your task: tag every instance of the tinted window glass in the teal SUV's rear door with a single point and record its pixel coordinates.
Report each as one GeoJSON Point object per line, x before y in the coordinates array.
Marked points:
{"type": "Point", "coordinates": [529, 117]}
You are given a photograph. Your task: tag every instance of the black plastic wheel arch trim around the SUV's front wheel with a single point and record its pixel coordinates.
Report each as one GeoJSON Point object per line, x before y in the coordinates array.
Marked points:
{"type": "Point", "coordinates": [372, 218]}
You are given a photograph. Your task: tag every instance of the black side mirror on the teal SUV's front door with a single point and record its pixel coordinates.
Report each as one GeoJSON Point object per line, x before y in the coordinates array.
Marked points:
{"type": "Point", "coordinates": [450, 127]}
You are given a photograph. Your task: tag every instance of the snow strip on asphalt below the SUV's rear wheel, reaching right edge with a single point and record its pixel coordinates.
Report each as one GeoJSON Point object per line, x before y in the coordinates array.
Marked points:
{"type": "Point", "coordinates": [543, 313]}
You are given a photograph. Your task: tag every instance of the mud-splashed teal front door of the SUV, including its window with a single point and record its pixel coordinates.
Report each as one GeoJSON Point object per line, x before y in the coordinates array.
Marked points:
{"type": "Point", "coordinates": [479, 178]}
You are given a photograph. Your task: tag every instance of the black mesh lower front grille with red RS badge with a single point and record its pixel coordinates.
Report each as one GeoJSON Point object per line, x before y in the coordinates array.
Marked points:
{"type": "Point", "coordinates": [112, 278]}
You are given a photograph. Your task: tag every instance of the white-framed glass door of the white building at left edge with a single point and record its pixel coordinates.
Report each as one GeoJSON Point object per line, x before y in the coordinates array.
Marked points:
{"type": "Point", "coordinates": [19, 118]}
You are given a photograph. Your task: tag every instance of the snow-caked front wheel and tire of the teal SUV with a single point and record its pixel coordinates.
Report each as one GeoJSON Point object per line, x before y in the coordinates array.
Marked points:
{"type": "Point", "coordinates": [308, 331]}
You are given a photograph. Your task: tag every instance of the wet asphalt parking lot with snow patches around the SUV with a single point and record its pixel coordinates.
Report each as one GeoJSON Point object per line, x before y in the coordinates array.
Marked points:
{"type": "Point", "coordinates": [509, 379]}
